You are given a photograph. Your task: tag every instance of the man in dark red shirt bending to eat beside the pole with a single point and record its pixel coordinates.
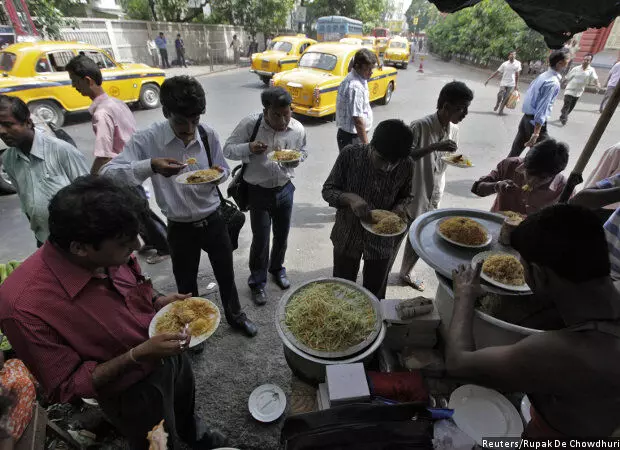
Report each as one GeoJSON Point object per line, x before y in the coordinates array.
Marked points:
{"type": "Point", "coordinates": [526, 185]}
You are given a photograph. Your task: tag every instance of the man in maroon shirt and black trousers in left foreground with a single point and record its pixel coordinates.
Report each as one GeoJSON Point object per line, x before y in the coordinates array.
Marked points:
{"type": "Point", "coordinates": [77, 313]}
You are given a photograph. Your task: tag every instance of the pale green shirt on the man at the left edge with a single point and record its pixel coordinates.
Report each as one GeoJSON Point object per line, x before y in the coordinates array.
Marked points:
{"type": "Point", "coordinates": [51, 165]}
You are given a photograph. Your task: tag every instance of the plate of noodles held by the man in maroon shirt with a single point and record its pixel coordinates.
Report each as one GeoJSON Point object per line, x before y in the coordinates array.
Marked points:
{"type": "Point", "coordinates": [201, 314]}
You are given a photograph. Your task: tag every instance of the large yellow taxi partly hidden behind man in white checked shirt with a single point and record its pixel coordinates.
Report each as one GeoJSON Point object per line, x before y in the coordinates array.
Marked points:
{"type": "Point", "coordinates": [314, 84]}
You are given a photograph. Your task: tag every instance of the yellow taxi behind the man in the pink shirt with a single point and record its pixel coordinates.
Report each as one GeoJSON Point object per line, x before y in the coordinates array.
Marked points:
{"type": "Point", "coordinates": [35, 72]}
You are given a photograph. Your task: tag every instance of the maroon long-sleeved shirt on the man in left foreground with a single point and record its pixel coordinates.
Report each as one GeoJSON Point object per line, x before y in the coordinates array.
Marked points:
{"type": "Point", "coordinates": [62, 320]}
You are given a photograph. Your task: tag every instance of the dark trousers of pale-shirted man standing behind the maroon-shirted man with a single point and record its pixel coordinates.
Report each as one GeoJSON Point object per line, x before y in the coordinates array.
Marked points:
{"type": "Point", "coordinates": [186, 241]}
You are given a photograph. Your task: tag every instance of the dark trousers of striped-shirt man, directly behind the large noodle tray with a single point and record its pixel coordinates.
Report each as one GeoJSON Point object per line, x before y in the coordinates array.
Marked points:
{"type": "Point", "coordinates": [375, 272]}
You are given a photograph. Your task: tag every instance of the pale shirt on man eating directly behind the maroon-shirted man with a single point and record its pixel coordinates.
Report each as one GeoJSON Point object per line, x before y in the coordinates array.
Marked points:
{"type": "Point", "coordinates": [178, 202]}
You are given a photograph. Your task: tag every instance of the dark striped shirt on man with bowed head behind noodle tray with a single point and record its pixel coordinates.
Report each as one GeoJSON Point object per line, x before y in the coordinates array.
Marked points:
{"type": "Point", "coordinates": [354, 173]}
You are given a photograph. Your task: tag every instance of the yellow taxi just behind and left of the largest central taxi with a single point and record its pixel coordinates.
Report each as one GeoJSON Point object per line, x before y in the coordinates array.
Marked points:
{"type": "Point", "coordinates": [283, 54]}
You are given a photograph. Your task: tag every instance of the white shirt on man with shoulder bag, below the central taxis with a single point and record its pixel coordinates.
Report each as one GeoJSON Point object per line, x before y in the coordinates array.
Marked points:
{"type": "Point", "coordinates": [260, 170]}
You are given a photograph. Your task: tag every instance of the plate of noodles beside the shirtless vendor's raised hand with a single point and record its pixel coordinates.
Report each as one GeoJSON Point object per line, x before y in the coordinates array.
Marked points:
{"type": "Point", "coordinates": [502, 270]}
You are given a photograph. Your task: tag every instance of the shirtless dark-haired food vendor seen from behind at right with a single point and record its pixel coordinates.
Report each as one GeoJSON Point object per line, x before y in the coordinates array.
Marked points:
{"type": "Point", "coordinates": [571, 375]}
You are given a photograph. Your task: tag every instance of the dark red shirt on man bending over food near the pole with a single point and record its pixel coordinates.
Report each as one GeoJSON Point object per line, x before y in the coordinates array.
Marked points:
{"type": "Point", "coordinates": [518, 200]}
